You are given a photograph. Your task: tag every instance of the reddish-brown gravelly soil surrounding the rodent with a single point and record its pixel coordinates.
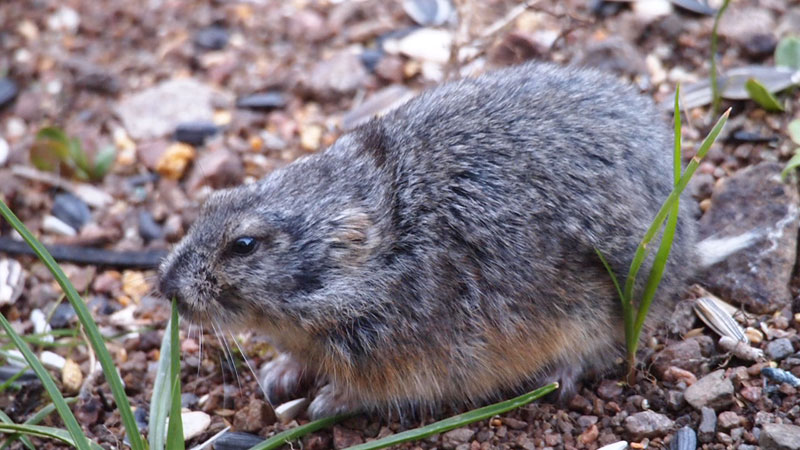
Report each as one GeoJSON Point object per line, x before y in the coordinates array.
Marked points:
{"type": "Point", "coordinates": [91, 67]}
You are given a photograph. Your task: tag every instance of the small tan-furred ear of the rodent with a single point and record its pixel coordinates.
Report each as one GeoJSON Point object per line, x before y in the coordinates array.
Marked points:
{"type": "Point", "coordinates": [353, 236]}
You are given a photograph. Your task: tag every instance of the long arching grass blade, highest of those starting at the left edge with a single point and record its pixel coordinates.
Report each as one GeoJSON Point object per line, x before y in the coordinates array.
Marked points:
{"type": "Point", "coordinates": [95, 338]}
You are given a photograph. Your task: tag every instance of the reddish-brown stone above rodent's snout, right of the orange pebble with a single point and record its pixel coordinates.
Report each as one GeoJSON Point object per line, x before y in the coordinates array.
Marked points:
{"type": "Point", "coordinates": [217, 168]}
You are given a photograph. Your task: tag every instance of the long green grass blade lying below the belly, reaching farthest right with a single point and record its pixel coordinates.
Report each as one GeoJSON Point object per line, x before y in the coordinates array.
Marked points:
{"type": "Point", "coordinates": [457, 421]}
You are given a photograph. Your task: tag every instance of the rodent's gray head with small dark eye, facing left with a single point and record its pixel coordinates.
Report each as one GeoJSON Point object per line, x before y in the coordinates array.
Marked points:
{"type": "Point", "coordinates": [262, 254]}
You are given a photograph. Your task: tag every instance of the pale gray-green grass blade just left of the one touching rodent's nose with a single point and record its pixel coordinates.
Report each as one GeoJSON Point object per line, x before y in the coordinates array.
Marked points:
{"type": "Point", "coordinates": [160, 401]}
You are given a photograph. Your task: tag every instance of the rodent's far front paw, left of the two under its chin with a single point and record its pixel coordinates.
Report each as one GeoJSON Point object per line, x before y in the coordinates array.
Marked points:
{"type": "Point", "coordinates": [284, 378]}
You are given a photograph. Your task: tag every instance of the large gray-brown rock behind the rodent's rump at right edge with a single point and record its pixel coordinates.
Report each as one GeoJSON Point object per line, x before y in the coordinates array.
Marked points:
{"type": "Point", "coordinates": [754, 200]}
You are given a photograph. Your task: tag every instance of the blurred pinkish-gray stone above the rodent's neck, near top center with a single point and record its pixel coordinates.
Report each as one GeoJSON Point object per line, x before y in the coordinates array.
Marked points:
{"type": "Point", "coordinates": [338, 76]}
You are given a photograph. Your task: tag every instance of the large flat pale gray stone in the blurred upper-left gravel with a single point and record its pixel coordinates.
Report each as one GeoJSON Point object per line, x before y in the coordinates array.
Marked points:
{"type": "Point", "coordinates": [158, 110]}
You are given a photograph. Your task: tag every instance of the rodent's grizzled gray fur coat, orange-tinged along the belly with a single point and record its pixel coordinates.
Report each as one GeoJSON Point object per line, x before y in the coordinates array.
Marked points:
{"type": "Point", "coordinates": [446, 252]}
